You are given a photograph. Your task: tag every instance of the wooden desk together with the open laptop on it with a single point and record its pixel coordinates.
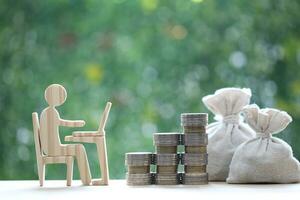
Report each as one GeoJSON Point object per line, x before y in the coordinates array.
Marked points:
{"type": "Point", "coordinates": [97, 137]}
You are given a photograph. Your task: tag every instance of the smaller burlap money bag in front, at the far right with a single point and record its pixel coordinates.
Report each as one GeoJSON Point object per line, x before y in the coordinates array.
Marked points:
{"type": "Point", "coordinates": [264, 159]}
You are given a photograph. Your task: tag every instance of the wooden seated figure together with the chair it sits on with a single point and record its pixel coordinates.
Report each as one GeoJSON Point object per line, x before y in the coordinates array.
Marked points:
{"type": "Point", "coordinates": [47, 142]}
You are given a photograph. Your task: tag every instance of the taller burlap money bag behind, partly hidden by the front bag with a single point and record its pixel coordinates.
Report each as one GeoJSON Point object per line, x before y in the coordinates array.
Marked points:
{"type": "Point", "coordinates": [228, 131]}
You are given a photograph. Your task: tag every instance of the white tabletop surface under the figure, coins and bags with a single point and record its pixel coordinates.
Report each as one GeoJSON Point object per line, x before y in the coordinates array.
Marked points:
{"type": "Point", "coordinates": [118, 189]}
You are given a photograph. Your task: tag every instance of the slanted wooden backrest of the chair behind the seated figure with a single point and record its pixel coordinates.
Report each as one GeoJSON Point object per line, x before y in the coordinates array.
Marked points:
{"type": "Point", "coordinates": [36, 132]}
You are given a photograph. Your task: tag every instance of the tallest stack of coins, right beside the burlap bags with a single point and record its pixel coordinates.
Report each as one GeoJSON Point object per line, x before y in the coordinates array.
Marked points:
{"type": "Point", "coordinates": [195, 141]}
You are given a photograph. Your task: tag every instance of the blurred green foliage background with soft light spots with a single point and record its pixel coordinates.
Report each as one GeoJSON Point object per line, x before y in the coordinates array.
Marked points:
{"type": "Point", "coordinates": [153, 59]}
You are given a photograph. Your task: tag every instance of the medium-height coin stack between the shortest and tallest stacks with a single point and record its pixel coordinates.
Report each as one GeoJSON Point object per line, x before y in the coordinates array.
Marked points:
{"type": "Point", "coordinates": [166, 157]}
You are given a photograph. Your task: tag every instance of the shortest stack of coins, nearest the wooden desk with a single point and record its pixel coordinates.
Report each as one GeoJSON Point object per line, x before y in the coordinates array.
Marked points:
{"type": "Point", "coordinates": [138, 164]}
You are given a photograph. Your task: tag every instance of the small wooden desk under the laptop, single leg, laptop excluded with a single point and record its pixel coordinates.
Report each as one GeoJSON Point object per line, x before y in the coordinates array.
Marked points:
{"type": "Point", "coordinates": [102, 155]}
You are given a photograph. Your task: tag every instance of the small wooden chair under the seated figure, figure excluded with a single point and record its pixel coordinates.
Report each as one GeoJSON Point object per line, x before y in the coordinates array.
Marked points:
{"type": "Point", "coordinates": [43, 160]}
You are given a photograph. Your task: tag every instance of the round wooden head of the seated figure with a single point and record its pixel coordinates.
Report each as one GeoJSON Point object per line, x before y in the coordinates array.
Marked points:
{"type": "Point", "coordinates": [55, 95]}
